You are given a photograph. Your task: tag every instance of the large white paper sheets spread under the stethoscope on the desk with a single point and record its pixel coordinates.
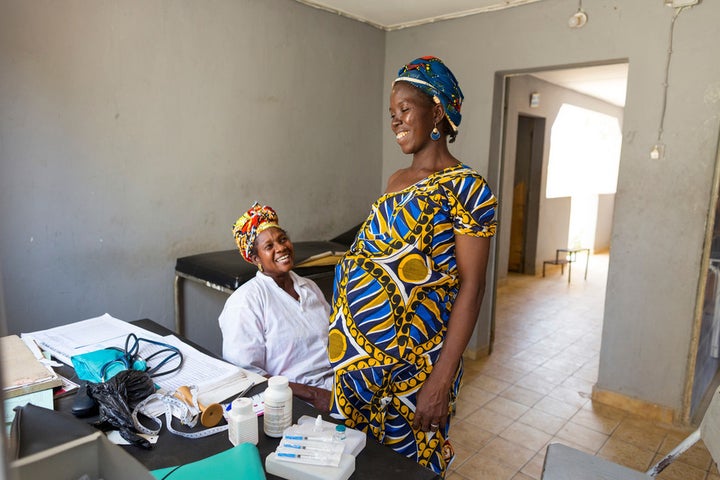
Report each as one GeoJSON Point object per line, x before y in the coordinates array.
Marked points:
{"type": "Point", "coordinates": [215, 379]}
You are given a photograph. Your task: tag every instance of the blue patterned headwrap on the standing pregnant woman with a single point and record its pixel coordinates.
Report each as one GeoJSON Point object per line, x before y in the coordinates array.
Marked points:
{"type": "Point", "coordinates": [430, 75]}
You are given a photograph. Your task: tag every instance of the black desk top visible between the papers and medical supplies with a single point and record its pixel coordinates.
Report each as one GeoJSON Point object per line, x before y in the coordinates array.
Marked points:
{"type": "Point", "coordinates": [376, 461]}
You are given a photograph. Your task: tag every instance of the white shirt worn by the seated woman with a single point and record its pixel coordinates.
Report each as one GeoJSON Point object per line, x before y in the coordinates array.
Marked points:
{"type": "Point", "coordinates": [267, 331]}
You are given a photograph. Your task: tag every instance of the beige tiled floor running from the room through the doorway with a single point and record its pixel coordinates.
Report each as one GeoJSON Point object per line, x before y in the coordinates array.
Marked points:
{"type": "Point", "coordinates": [535, 389]}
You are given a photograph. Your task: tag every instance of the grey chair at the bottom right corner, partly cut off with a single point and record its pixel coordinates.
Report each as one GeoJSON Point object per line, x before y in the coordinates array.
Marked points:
{"type": "Point", "coordinates": [566, 463]}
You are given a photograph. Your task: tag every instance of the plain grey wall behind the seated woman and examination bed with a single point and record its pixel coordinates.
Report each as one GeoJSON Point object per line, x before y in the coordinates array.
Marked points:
{"type": "Point", "coordinates": [136, 132]}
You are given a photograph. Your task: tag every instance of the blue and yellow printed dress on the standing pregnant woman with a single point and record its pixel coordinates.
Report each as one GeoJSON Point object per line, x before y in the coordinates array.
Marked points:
{"type": "Point", "coordinates": [393, 293]}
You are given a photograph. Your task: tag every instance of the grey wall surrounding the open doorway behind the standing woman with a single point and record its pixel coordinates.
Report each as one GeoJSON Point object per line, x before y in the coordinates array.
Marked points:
{"type": "Point", "coordinates": [661, 206]}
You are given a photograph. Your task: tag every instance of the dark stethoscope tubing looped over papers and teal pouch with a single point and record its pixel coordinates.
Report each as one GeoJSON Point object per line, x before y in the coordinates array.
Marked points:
{"type": "Point", "coordinates": [131, 360]}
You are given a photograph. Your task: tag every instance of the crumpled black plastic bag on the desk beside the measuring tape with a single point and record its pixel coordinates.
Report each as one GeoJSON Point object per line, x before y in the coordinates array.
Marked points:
{"type": "Point", "coordinates": [117, 398]}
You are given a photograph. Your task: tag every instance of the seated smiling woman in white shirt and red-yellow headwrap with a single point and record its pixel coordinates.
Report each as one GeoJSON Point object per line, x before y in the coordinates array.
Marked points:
{"type": "Point", "coordinates": [277, 323]}
